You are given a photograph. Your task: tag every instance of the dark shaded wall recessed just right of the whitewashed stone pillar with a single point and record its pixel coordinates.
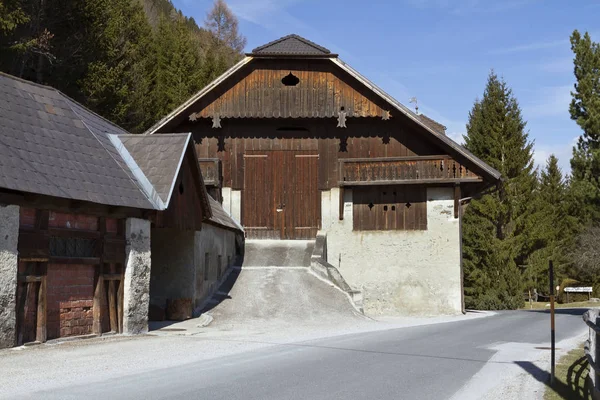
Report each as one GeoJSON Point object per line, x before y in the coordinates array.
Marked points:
{"type": "Point", "coordinates": [173, 269]}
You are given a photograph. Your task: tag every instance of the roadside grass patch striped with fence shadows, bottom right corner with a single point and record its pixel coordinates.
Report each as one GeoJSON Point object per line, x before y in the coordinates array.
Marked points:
{"type": "Point", "coordinates": [571, 381]}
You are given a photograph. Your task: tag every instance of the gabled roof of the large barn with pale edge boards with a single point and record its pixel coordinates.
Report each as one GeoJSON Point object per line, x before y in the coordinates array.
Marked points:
{"type": "Point", "coordinates": [438, 137]}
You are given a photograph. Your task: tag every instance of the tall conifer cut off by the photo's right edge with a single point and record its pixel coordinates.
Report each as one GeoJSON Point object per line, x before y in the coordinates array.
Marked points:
{"type": "Point", "coordinates": [585, 110]}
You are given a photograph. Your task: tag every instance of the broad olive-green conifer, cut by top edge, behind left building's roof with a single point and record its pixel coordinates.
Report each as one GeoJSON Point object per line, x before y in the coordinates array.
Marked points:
{"type": "Point", "coordinates": [117, 84]}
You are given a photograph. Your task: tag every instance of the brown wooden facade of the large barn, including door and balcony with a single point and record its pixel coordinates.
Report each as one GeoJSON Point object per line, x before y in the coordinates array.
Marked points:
{"type": "Point", "coordinates": [282, 144]}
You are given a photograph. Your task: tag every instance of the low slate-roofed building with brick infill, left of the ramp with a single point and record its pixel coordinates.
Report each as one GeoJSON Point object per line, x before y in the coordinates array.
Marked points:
{"type": "Point", "coordinates": [87, 213]}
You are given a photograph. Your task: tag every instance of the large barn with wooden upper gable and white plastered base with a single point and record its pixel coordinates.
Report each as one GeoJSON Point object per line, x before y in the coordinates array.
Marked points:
{"type": "Point", "coordinates": [293, 141]}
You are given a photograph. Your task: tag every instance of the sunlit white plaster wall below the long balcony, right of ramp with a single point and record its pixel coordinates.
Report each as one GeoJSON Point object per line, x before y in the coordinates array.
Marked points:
{"type": "Point", "coordinates": [399, 272]}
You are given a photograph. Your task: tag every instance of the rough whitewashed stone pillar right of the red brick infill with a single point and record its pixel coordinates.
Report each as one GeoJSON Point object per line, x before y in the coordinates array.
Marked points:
{"type": "Point", "coordinates": [136, 294]}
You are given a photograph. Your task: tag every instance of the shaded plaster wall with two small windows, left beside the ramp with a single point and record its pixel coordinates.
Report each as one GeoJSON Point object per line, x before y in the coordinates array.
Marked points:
{"type": "Point", "coordinates": [215, 241]}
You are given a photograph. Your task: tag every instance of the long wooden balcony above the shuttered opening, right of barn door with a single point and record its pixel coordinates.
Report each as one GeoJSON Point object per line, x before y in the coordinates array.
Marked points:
{"type": "Point", "coordinates": [403, 170]}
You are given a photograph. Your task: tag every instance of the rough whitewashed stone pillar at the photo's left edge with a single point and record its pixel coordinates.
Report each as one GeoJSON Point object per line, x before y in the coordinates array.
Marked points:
{"type": "Point", "coordinates": [9, 237]}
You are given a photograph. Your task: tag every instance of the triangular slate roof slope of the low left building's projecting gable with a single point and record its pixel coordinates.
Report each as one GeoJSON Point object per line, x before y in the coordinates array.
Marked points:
{"type": "Point", "coordinates": [159, 158]}
